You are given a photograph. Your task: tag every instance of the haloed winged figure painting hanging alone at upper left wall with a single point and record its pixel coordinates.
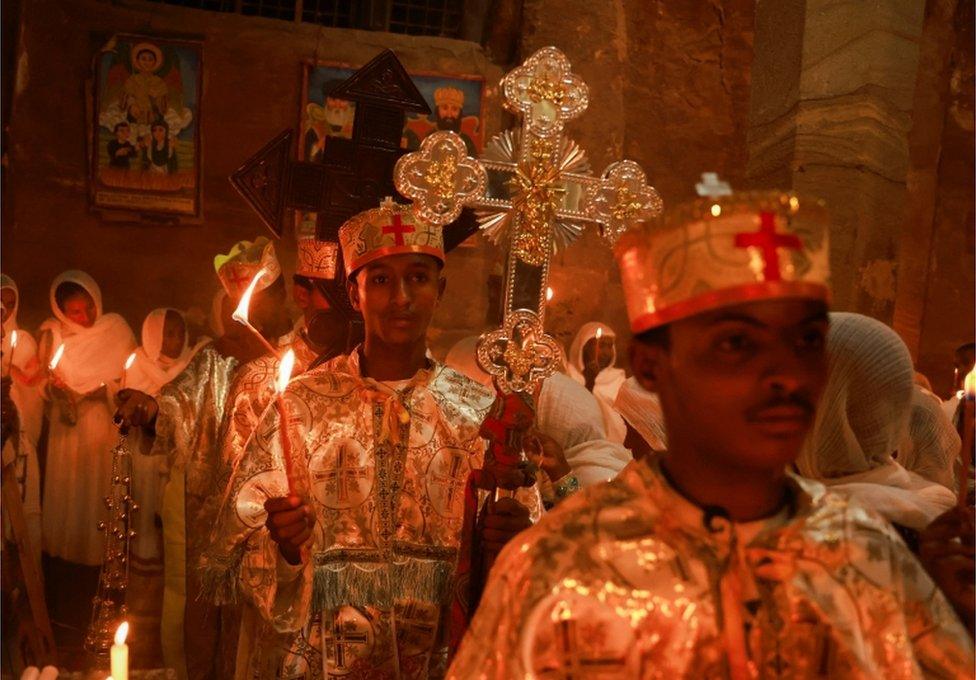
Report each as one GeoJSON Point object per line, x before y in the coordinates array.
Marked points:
{"type": "Point", "coordinates": [145, 145]}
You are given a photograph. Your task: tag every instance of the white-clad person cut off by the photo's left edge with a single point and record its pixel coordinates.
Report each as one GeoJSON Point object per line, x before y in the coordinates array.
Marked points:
{"type": "Point", "coordinates": [20, 366]}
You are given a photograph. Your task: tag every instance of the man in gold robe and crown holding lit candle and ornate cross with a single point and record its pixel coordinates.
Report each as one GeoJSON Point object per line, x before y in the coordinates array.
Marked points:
{"type": "Point", "coordinates": [387, 437]}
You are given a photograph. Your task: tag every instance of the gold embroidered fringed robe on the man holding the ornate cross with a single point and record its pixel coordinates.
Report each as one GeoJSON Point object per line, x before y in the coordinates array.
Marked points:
{"type": "Point", "coordinates": [386, 469]}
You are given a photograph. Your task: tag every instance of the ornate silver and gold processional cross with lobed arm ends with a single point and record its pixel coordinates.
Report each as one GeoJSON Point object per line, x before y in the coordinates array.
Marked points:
{"type": "Point", "coordinates": [534, 191]}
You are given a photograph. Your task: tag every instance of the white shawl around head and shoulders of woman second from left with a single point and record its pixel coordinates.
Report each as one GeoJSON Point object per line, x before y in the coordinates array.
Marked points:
{"type": "Point", "coordinates": [92, 356]}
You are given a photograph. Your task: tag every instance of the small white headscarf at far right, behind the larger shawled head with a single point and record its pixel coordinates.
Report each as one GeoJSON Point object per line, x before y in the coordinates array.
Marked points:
{"type": "Point", "coordinates": [932, 446]}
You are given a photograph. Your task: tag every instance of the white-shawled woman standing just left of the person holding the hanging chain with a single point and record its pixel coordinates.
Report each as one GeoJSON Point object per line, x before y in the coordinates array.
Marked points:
{"type": "Point", "coordinates": [156, 363]}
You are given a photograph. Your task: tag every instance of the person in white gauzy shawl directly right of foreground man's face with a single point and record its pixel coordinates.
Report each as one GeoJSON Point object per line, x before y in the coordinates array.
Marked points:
{"type": "Point", "coordinates": [863, 420]}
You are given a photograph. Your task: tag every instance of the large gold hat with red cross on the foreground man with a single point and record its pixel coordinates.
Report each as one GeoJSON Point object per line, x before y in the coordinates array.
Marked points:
{"type": "Point", "coordinates": [721, 251]}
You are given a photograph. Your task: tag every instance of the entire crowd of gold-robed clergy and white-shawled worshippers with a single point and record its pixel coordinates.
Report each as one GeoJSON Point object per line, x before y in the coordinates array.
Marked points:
{"type": "Point", "coordinates": [773, 492]}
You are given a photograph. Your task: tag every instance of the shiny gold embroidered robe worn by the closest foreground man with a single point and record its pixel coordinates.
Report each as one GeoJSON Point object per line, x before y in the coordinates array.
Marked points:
{"type": "Point", "coordinates": [625, 580]}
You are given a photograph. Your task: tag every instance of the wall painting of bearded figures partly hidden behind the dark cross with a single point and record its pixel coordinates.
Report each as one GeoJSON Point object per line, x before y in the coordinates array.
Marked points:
{"type": "Point", "coordinates": [455, 99]}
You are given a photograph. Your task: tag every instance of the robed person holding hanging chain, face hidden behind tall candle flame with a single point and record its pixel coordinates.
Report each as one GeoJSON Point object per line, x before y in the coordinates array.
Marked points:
{"type": "Point", "coordinates": [185, 422]}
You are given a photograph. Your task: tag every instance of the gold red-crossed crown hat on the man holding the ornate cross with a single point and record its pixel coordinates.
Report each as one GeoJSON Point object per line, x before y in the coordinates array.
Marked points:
{"type": "Point", "coordinates": [391, 229]}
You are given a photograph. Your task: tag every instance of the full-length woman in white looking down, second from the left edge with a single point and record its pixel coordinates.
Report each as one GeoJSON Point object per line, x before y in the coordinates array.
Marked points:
{"type": "Point", "coordinates": [82, 435]}
